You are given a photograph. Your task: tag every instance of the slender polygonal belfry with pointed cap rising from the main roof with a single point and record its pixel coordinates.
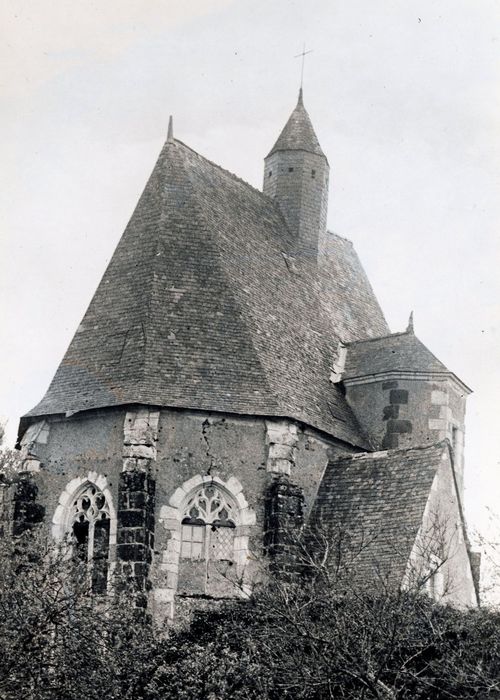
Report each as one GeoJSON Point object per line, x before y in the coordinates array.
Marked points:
{"type": "Point", "coordinates": [296, 175]}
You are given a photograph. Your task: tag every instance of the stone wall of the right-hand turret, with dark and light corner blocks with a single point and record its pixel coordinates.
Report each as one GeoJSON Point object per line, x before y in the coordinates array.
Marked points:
{"type": "Point", "coordinates": [399, 413]}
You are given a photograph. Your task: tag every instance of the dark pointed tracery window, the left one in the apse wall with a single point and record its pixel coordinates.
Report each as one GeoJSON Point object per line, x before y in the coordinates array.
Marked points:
{"type": "Point", "coordinates": [90, 526]}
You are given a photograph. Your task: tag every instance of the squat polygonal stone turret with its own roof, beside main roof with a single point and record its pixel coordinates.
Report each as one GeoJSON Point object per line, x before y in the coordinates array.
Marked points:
{"type": "Point", "coordinates": [403, 396]}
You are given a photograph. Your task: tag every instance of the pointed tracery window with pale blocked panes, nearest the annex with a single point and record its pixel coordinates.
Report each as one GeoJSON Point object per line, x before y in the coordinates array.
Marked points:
{"type": "Point", "coordinates": [208, 526]}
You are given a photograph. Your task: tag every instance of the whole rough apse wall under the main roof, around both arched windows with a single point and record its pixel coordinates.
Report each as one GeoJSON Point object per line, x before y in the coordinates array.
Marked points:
{"type": "Point", "coordinates": [147, 461]}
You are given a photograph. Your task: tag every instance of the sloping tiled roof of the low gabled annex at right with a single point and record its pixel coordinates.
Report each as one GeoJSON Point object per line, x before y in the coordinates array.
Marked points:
{"type": "Point", "coordinates": [377, 500]}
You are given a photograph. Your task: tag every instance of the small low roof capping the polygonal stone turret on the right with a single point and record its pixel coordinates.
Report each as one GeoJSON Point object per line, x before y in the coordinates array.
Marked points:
{"type": "Point", "coordinates": [398, 352]}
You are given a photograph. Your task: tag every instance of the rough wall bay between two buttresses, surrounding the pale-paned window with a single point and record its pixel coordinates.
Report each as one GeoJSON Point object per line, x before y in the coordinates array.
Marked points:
{"type": "Point", "coordinates": [194, 448]}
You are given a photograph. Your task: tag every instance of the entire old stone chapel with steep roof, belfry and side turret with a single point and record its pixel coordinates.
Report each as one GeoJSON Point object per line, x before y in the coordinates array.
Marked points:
{"type": "Point", "coordinates": [234, 370]}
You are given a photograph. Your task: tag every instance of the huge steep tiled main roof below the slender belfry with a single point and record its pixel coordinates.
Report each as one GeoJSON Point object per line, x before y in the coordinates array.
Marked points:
{"type": "Point", "coordinates": [202, 307]}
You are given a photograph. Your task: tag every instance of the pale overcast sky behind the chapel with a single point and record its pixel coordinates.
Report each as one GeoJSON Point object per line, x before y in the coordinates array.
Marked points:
{"type": "Point", "coordinates": [404, 96]}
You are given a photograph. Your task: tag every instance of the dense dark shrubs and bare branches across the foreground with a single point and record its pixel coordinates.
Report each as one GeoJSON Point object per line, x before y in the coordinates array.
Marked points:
{"type": "Point", "coordinates": [310, 638]}
